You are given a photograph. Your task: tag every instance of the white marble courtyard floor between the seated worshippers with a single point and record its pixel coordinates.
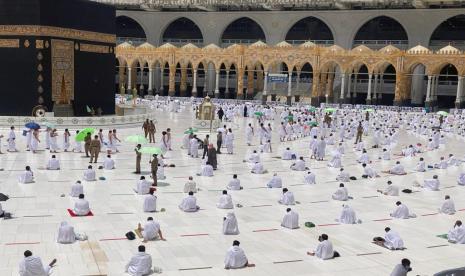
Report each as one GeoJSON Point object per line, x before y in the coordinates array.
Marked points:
{"type": "Point", "coordinates": [38, 210]}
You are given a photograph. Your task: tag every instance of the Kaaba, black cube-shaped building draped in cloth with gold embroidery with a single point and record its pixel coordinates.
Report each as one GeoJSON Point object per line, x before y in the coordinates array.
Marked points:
{"type": "Point", "coordinates": [56, 56]}
